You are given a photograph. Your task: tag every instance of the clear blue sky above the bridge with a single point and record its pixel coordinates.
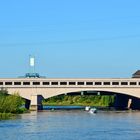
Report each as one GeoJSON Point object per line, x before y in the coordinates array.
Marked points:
{"type": "Point", "coordinates": [70, 38]}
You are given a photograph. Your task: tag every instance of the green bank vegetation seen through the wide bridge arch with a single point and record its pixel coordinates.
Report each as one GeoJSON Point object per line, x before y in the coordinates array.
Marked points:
{"type": "Point", "coordinates": [82, 100]}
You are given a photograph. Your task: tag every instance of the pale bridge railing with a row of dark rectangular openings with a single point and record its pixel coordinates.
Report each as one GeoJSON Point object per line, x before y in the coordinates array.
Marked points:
{"type": "Point", "coordinates": [71, 83]}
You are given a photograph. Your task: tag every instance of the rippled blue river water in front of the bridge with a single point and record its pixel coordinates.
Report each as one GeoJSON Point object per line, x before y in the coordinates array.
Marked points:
{"type": "Point", "coordinates": [72, 125]}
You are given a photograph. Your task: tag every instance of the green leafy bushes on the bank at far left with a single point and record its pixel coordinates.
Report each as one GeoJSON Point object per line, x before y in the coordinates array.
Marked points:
{"type": "Point", "coordinates": [10, 105]}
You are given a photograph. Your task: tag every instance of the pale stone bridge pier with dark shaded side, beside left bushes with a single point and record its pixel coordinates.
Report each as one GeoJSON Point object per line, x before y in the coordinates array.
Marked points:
{"type": "Point", "coordinates": [36, 102]}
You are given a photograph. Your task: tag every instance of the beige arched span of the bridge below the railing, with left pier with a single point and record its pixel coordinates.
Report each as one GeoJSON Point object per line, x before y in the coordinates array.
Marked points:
{"type": "Point", "coordinates": [33, 94]}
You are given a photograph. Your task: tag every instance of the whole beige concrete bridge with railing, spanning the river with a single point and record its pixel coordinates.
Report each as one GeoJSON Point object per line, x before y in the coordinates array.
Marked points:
{"type": "Point", "coordinates": [35, 89]}
